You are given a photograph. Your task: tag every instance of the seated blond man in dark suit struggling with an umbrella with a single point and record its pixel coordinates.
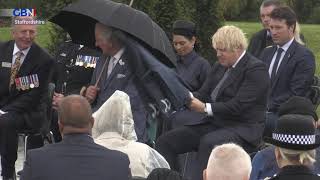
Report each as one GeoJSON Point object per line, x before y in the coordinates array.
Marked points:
{"type": "Point", "coordinates": [236, 96]}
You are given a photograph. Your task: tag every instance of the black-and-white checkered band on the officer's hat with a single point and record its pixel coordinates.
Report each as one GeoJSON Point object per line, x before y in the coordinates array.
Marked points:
{"type": "Point", "coordinates": [295, 139]}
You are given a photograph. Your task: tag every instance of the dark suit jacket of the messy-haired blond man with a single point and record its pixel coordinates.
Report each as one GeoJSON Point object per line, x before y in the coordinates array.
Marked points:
{"type": "Point", "coordinates": [241, 102]}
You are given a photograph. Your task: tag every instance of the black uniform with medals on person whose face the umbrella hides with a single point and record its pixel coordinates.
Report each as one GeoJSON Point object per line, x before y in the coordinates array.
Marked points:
{"type": "Point", "coordinates": [74, 67]}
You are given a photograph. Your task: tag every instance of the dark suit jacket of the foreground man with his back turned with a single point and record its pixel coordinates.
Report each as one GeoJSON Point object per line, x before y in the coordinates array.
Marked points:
{"type": "Point", "coordinates": [76, 157]}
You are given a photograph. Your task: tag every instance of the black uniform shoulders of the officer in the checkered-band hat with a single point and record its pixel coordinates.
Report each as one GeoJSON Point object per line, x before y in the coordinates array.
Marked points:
{"type": "Point", "coordinates": [295, 173]}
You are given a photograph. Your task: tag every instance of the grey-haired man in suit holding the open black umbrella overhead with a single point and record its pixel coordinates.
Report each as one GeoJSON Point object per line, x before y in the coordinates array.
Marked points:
{"type": "Point", "coordinates": [114, 73]}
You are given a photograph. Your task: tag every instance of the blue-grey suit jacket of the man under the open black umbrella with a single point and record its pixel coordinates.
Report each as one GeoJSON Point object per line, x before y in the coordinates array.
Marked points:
{"type": "Point", "coordinates": [123, 79]}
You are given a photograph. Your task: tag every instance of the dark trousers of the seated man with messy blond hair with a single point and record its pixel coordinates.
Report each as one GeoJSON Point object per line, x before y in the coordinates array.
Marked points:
{"type": "Point", "coordinates": [202, 138]}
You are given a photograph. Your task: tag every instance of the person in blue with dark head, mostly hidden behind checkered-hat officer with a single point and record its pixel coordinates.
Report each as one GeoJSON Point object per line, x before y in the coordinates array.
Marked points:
{"type": "Point", "coordinates": [264, 163]}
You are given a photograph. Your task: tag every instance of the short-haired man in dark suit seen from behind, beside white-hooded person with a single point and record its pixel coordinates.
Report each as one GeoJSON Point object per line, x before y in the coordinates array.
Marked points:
{"type": "Point", "coordinates": [76, 156]}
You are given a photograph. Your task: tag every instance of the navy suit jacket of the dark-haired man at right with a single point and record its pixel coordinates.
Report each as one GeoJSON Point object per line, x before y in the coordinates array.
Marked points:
{"type": "Point", "coordinates": [294, 76]}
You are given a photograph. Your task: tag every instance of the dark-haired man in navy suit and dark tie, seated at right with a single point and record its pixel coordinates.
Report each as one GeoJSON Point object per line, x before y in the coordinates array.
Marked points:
{"type": "Point", "coordinates": [291, 66]}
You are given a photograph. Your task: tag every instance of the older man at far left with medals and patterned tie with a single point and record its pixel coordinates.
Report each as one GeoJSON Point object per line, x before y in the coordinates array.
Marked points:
{"type": "Point", "coordinates": [24, 74]}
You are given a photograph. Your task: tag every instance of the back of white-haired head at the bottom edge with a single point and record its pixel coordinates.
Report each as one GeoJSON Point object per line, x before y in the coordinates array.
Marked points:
{"type": "Point", "coordinates": [228, 162]}
